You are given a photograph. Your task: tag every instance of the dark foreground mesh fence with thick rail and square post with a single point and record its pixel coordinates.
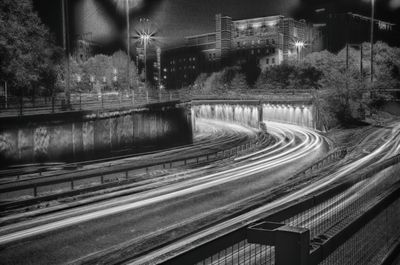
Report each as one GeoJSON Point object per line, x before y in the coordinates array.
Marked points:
{"type": "Point", "coordinates": [355, 222]}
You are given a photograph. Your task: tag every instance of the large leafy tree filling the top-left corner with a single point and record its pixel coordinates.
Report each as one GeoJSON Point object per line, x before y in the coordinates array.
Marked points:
{"type": "Point", "coordinates": [28, 53]}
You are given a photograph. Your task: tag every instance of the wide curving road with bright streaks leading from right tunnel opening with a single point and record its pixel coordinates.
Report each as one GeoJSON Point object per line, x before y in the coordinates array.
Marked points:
{"type": "Point", "coordinates": [70, 235]}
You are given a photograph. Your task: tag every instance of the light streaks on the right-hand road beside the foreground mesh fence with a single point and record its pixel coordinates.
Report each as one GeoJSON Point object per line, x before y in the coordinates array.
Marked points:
{"type": "Point", "coordinates": [389, 148]}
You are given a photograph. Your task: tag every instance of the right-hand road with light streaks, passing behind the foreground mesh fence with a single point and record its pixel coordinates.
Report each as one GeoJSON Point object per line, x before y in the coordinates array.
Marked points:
{"type": "Point", "coordinates": [325, 219]}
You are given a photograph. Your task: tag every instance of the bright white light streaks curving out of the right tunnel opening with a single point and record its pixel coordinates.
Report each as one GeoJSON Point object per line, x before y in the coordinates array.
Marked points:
{"type": "Point", "coordinates": [309, 141]}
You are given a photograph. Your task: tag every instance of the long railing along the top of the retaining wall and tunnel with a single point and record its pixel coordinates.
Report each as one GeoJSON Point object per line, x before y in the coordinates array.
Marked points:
{"type": "Point", "coordinates": [113, 100]}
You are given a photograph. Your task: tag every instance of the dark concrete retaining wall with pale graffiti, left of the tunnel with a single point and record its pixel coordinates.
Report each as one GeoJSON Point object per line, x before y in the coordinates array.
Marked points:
{"type": "Point", "coordinates": [95, 136]}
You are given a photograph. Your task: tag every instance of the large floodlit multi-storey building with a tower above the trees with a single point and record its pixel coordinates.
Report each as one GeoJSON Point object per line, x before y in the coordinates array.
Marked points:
{"type": "Point", "coordinates": [266, 41]}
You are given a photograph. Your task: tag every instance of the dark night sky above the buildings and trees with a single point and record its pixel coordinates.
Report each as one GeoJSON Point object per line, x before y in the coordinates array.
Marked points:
{"type": "Point", "coordinates": [174, 19]}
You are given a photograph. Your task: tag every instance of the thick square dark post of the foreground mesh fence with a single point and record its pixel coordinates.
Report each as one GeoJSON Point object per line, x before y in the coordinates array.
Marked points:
{"type": "Point", "coordinates": [292, 246]}
